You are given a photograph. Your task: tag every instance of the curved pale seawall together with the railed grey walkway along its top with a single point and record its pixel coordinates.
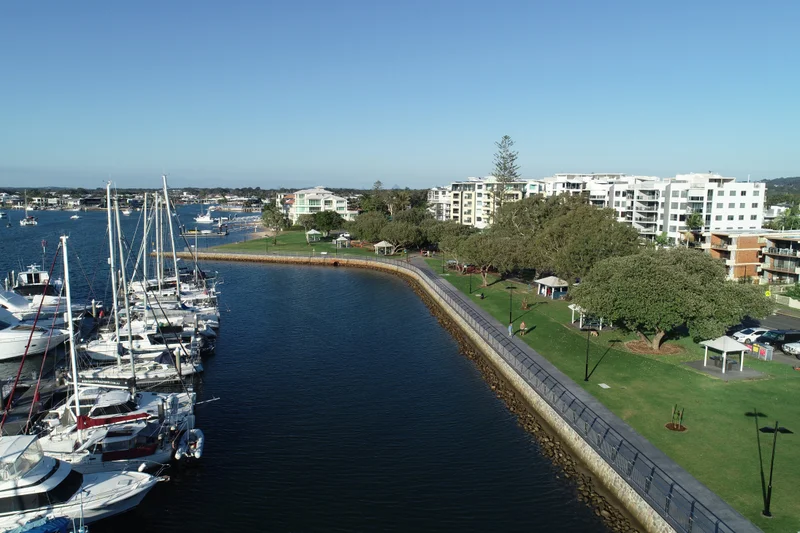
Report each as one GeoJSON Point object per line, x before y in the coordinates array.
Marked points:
{"type": "Point", "coordinates": [658, 493]}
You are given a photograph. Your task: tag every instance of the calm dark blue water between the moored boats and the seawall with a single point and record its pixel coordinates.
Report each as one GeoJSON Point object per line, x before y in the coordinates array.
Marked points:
{"type": "Point", "coordinates": [343, 407]}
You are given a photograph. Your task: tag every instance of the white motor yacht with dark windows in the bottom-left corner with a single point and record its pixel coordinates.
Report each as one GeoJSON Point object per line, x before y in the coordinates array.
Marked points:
{"type": "Point", "coordinates": [33, 485]}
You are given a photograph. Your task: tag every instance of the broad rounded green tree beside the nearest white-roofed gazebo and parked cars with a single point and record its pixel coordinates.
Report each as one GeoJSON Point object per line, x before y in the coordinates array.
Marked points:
{"type": "Point", "coordinates": [655, 292]}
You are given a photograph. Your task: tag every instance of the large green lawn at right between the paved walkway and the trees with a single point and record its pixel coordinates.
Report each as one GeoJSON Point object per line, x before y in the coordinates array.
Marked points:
{"type": "Point", "coordinates": [719, 447]}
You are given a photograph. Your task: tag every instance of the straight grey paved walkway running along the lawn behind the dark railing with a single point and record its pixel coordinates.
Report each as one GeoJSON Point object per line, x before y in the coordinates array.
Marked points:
{"type": "Point", "coordinates": [680, 478]}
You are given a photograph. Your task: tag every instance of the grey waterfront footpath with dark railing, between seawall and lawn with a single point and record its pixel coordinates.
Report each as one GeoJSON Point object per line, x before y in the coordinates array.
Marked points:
{"type": "Point", "coordinates": [681, 500]}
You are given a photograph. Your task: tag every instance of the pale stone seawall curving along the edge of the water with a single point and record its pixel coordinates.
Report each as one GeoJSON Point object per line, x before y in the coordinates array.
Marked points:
{"type": "Point", "coordinates": [633, 502]}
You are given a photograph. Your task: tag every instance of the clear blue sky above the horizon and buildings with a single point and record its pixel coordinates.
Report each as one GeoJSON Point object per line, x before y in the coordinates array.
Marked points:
{"type": "Point", "coordinates": [413, 93]}
